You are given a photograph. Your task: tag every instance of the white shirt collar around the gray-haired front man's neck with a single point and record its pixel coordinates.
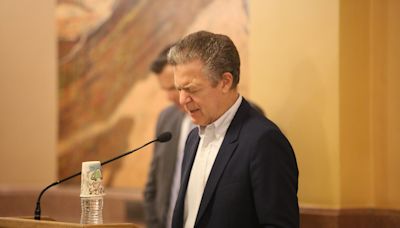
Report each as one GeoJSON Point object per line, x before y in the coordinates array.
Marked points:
{"type": "Point", "coordinates": [219, 127]}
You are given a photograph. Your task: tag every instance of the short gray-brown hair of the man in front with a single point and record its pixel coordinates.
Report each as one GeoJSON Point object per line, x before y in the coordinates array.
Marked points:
{"type": "Point", "coordinates": [217, 52]}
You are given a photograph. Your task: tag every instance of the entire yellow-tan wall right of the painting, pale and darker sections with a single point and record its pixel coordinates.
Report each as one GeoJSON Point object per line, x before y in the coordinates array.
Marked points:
{"type": "Point", "coordinates": [327, 72]}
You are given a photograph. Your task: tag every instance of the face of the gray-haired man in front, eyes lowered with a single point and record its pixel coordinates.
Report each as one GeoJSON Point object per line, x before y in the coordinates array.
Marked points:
{"type": "Point", "coordinates": [200, 99]}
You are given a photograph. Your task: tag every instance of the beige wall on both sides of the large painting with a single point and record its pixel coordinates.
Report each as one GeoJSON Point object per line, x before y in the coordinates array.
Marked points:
{"type": "Point", "coordinates": [326, 71]}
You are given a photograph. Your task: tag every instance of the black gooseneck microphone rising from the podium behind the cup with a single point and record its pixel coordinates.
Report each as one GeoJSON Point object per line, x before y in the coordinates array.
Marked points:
{"type": "Point", "coordinates": [163, 137]}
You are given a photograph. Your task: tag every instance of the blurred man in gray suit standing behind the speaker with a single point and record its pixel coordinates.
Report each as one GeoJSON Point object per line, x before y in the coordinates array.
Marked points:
{"type": "Point", "coordinates": [164, 176]}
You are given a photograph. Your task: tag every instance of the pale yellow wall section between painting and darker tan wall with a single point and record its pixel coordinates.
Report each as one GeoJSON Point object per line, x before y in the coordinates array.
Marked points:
{"type": "Point", "coordinates": [294, 68]}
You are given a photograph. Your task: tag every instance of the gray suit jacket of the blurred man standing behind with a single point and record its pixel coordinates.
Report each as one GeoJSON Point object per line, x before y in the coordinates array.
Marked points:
{"type": "Point", "coordinates": [158, 187]}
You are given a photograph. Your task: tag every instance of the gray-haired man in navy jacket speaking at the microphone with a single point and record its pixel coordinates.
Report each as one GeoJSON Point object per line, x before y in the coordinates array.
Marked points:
{"type": "Point", "coordinates": [238, 169]}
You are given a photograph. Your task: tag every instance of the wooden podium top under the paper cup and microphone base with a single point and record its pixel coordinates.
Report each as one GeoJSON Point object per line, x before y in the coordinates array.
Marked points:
{"type": "Point", "coordinates": [9, 222]}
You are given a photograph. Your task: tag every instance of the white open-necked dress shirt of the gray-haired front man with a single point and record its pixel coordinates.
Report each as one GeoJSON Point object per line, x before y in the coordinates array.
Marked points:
{"type": "Point", "coordinates": [211, 138]}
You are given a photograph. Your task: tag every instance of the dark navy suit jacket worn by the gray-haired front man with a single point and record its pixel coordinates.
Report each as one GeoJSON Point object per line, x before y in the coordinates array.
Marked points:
{"type": "Point", "coordinates": [253, 182]}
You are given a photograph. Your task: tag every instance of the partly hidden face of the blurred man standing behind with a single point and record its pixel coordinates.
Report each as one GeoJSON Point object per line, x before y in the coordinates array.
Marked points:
{"type": "Point", "coordinates": [166, 80]}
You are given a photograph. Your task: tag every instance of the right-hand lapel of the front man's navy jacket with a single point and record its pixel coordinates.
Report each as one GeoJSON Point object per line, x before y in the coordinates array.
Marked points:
{"type": "Point", "coordinates": [225, 152]}
